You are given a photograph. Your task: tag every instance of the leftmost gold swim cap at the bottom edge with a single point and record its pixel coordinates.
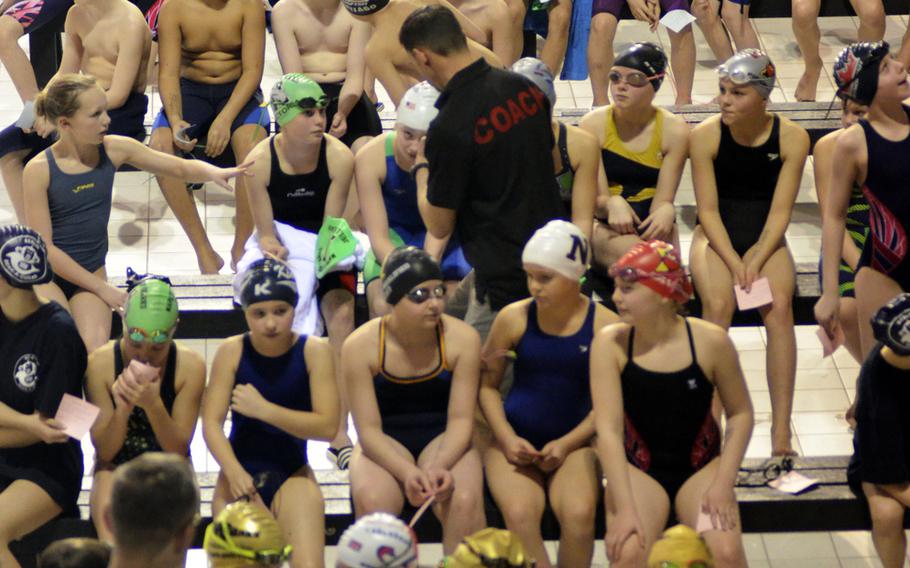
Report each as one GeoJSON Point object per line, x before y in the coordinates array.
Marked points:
{"type": "Point", "coordinates": [243, 530]}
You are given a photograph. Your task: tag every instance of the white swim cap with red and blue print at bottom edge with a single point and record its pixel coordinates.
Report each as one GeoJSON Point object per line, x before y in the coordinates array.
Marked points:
{"type": "Point", "coordinates": [379, 540]}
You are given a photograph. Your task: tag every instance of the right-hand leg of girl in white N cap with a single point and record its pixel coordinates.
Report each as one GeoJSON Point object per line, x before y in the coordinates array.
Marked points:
{"type": "Point", "coordinates": [574, 492]}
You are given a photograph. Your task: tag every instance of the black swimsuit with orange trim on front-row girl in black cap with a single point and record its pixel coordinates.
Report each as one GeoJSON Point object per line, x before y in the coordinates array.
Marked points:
{"type": "Point", "coordinates": [414, 410]}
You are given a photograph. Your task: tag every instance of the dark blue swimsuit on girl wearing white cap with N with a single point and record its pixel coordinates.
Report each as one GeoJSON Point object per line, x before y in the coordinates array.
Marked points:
{"type": "Point", "coordinates": [551, 394]}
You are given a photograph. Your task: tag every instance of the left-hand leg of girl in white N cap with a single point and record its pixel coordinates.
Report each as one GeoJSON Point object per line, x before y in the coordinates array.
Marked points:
{"type": "Point", "coordinates": [519, 494]}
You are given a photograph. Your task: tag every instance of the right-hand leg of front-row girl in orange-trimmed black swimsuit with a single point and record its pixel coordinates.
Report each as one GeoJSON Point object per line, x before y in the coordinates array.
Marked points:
{"type": "Point", "coordinates": [462, 514]}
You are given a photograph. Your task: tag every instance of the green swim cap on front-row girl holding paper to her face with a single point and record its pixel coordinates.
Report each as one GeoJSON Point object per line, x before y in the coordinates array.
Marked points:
{"type": "Point", "coordinates": [151, 312]}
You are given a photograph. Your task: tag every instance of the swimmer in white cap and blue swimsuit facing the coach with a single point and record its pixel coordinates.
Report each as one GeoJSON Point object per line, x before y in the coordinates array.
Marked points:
{"type": "Point", "coordinates": [388, 196]}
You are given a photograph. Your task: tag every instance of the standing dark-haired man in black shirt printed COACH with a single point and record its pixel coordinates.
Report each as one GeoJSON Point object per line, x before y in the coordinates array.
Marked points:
{"type": "Point", "coordinates": [490, 159]}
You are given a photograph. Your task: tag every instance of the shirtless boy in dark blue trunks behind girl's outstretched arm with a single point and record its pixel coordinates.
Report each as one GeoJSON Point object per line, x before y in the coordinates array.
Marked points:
{"type": "Point", "coordinates": [210, 66]}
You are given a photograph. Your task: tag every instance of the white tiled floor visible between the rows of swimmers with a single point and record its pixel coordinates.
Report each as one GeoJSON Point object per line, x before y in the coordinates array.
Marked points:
{"type": "Point", "coordinates": [144, 235]}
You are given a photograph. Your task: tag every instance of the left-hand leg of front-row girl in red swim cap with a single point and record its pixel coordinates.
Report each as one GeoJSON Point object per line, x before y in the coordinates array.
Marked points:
{"type": "Point", "coordinates": [653, 507]}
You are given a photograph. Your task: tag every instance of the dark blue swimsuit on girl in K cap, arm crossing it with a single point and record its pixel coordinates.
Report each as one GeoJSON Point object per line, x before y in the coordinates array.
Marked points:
{"type": "Point", "coordinates": [267, 453]}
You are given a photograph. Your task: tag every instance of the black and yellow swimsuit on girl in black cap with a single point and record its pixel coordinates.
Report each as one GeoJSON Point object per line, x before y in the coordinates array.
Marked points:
{"type": "Point", "coordinates": [633, 175]}
